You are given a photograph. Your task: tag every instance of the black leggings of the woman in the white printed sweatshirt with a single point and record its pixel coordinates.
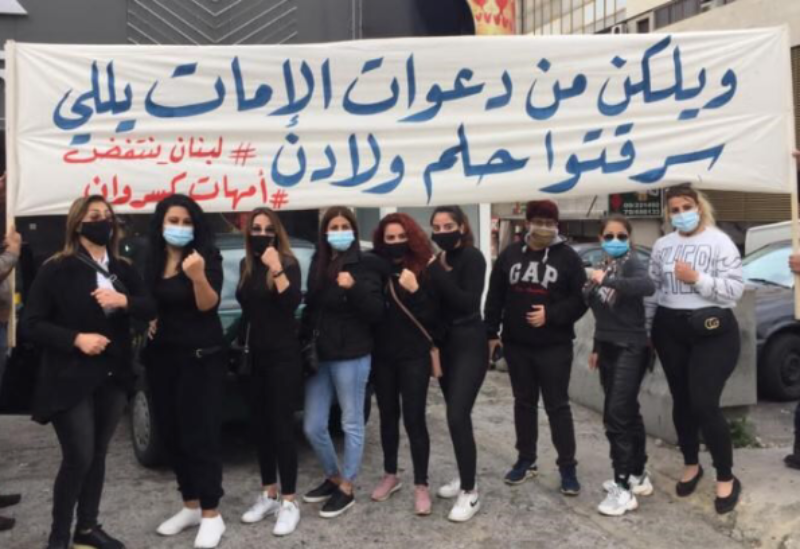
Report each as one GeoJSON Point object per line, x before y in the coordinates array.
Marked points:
{"type": "Point", "coordinates": [697, 369]}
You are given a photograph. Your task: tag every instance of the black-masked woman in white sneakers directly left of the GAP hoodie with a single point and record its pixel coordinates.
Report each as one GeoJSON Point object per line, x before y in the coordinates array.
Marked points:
{"type": "Point", "coordinates": [459, 277]}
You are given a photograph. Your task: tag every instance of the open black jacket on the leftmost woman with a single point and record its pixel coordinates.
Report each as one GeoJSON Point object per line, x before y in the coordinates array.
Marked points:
{"type": "Point", "coordinates": [59, 307]}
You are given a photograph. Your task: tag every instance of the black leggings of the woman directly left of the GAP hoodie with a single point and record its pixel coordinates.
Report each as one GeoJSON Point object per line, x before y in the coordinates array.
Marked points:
{"type": "Point", "coordinates": [465, 360]}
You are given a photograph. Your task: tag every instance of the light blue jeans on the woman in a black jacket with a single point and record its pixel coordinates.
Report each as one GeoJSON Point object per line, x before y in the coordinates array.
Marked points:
{"type": "Point", "coordinates": [347, 380]}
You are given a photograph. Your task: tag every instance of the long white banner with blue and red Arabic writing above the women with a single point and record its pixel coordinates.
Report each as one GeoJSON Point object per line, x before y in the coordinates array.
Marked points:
{"type": "Point", "coordinates": [406, 122]}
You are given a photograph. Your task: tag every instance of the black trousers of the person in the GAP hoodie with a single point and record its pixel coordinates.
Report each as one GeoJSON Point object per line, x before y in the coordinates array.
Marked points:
{"type": "Point", "coordinates": [546, 369]}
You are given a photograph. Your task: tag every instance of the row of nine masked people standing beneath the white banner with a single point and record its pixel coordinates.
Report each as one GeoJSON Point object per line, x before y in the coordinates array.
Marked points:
{"type": "Point", "coordinates": [398, 315]}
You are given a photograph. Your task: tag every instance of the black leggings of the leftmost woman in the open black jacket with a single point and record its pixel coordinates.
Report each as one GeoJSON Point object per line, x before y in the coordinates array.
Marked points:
{"type": "Point", "coordinates": [84, 433]}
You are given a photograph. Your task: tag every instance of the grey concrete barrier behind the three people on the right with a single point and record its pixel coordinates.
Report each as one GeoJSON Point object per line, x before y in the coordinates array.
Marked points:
{"type": "Point", "coordinates": [655, 398]}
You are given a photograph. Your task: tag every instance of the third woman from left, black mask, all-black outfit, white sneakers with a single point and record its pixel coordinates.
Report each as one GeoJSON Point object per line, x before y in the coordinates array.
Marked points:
{"type": "Point", "coordinates": [270, 292]}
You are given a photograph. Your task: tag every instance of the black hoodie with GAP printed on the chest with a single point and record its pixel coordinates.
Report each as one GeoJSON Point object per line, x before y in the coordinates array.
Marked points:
{"type": "Point", "coordinates": [523, 277]}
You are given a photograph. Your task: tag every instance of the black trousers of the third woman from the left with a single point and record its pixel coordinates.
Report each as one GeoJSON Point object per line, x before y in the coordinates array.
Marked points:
{"type": "Point", "coordinates": [276, 388]}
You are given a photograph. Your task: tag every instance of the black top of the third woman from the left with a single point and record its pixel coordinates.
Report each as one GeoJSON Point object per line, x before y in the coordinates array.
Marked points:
{"type": "Point", "coordinates": [271, 315]}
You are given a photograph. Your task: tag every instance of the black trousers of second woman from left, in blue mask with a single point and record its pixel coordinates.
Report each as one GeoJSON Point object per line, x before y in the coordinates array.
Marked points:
{"type": "Point", "coordinates": [187, 399]}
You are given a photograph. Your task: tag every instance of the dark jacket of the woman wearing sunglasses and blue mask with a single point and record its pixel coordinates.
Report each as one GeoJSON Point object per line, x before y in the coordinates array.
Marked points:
{"type": "Point", "coordinates": [618, 304]}
